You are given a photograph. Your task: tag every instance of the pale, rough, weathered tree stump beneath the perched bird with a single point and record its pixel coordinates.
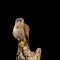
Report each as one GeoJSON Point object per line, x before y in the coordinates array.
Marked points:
{"type": "Point", "coordinates": [24, 53]}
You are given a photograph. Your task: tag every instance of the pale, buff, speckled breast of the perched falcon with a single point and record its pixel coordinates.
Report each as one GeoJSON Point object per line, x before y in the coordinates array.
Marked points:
{"type": "Point", "coordinates": [18, 32]}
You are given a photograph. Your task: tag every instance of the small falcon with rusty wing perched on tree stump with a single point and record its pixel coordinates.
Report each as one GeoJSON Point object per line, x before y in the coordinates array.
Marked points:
{"type": "Point", "coordinates": [21, 30]}
